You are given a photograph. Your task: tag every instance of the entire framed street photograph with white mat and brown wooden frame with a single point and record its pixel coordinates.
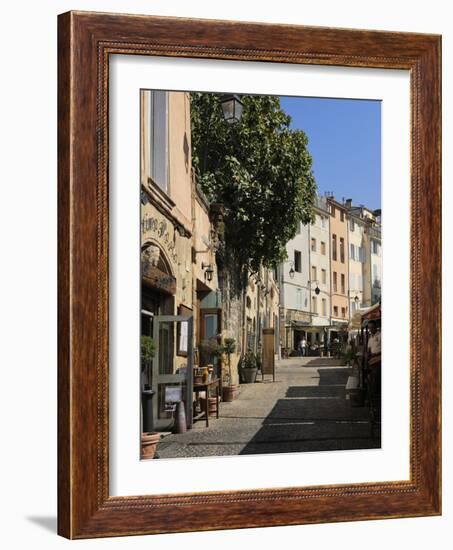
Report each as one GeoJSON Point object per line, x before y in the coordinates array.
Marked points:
{"type": "Point", "coordinates": [249, 275]}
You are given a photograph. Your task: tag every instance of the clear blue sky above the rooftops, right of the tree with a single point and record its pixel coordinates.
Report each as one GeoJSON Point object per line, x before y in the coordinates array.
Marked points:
{"type": "Point", "coordinates": [344, 140]}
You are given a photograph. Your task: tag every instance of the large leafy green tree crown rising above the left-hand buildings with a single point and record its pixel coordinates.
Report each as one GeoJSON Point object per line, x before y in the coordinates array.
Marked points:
{"type": "Point", "coordinates": [260, 170]}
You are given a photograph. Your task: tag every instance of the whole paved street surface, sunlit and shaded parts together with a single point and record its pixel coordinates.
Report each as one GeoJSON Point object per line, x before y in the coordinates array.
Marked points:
{"type": "Point", "coordinates": [305, 409]}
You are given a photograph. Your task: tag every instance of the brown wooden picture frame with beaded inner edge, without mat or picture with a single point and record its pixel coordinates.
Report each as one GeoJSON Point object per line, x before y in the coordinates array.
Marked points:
{"type": "Point", "coordinates": [86, 41]}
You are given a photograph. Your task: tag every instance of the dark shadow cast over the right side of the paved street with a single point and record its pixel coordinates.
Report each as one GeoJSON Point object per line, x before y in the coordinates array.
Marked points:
{"type": "Point", "coordinates": [315, 418]}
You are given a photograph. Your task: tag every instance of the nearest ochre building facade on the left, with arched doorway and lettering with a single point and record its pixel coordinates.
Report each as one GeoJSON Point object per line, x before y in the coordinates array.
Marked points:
{"type": "Point", "coordinates": [177, 252]}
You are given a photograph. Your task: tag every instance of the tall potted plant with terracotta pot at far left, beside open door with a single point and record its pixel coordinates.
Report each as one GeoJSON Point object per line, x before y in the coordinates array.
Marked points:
{"type": "Point", "coordinates": [149, 438]}
